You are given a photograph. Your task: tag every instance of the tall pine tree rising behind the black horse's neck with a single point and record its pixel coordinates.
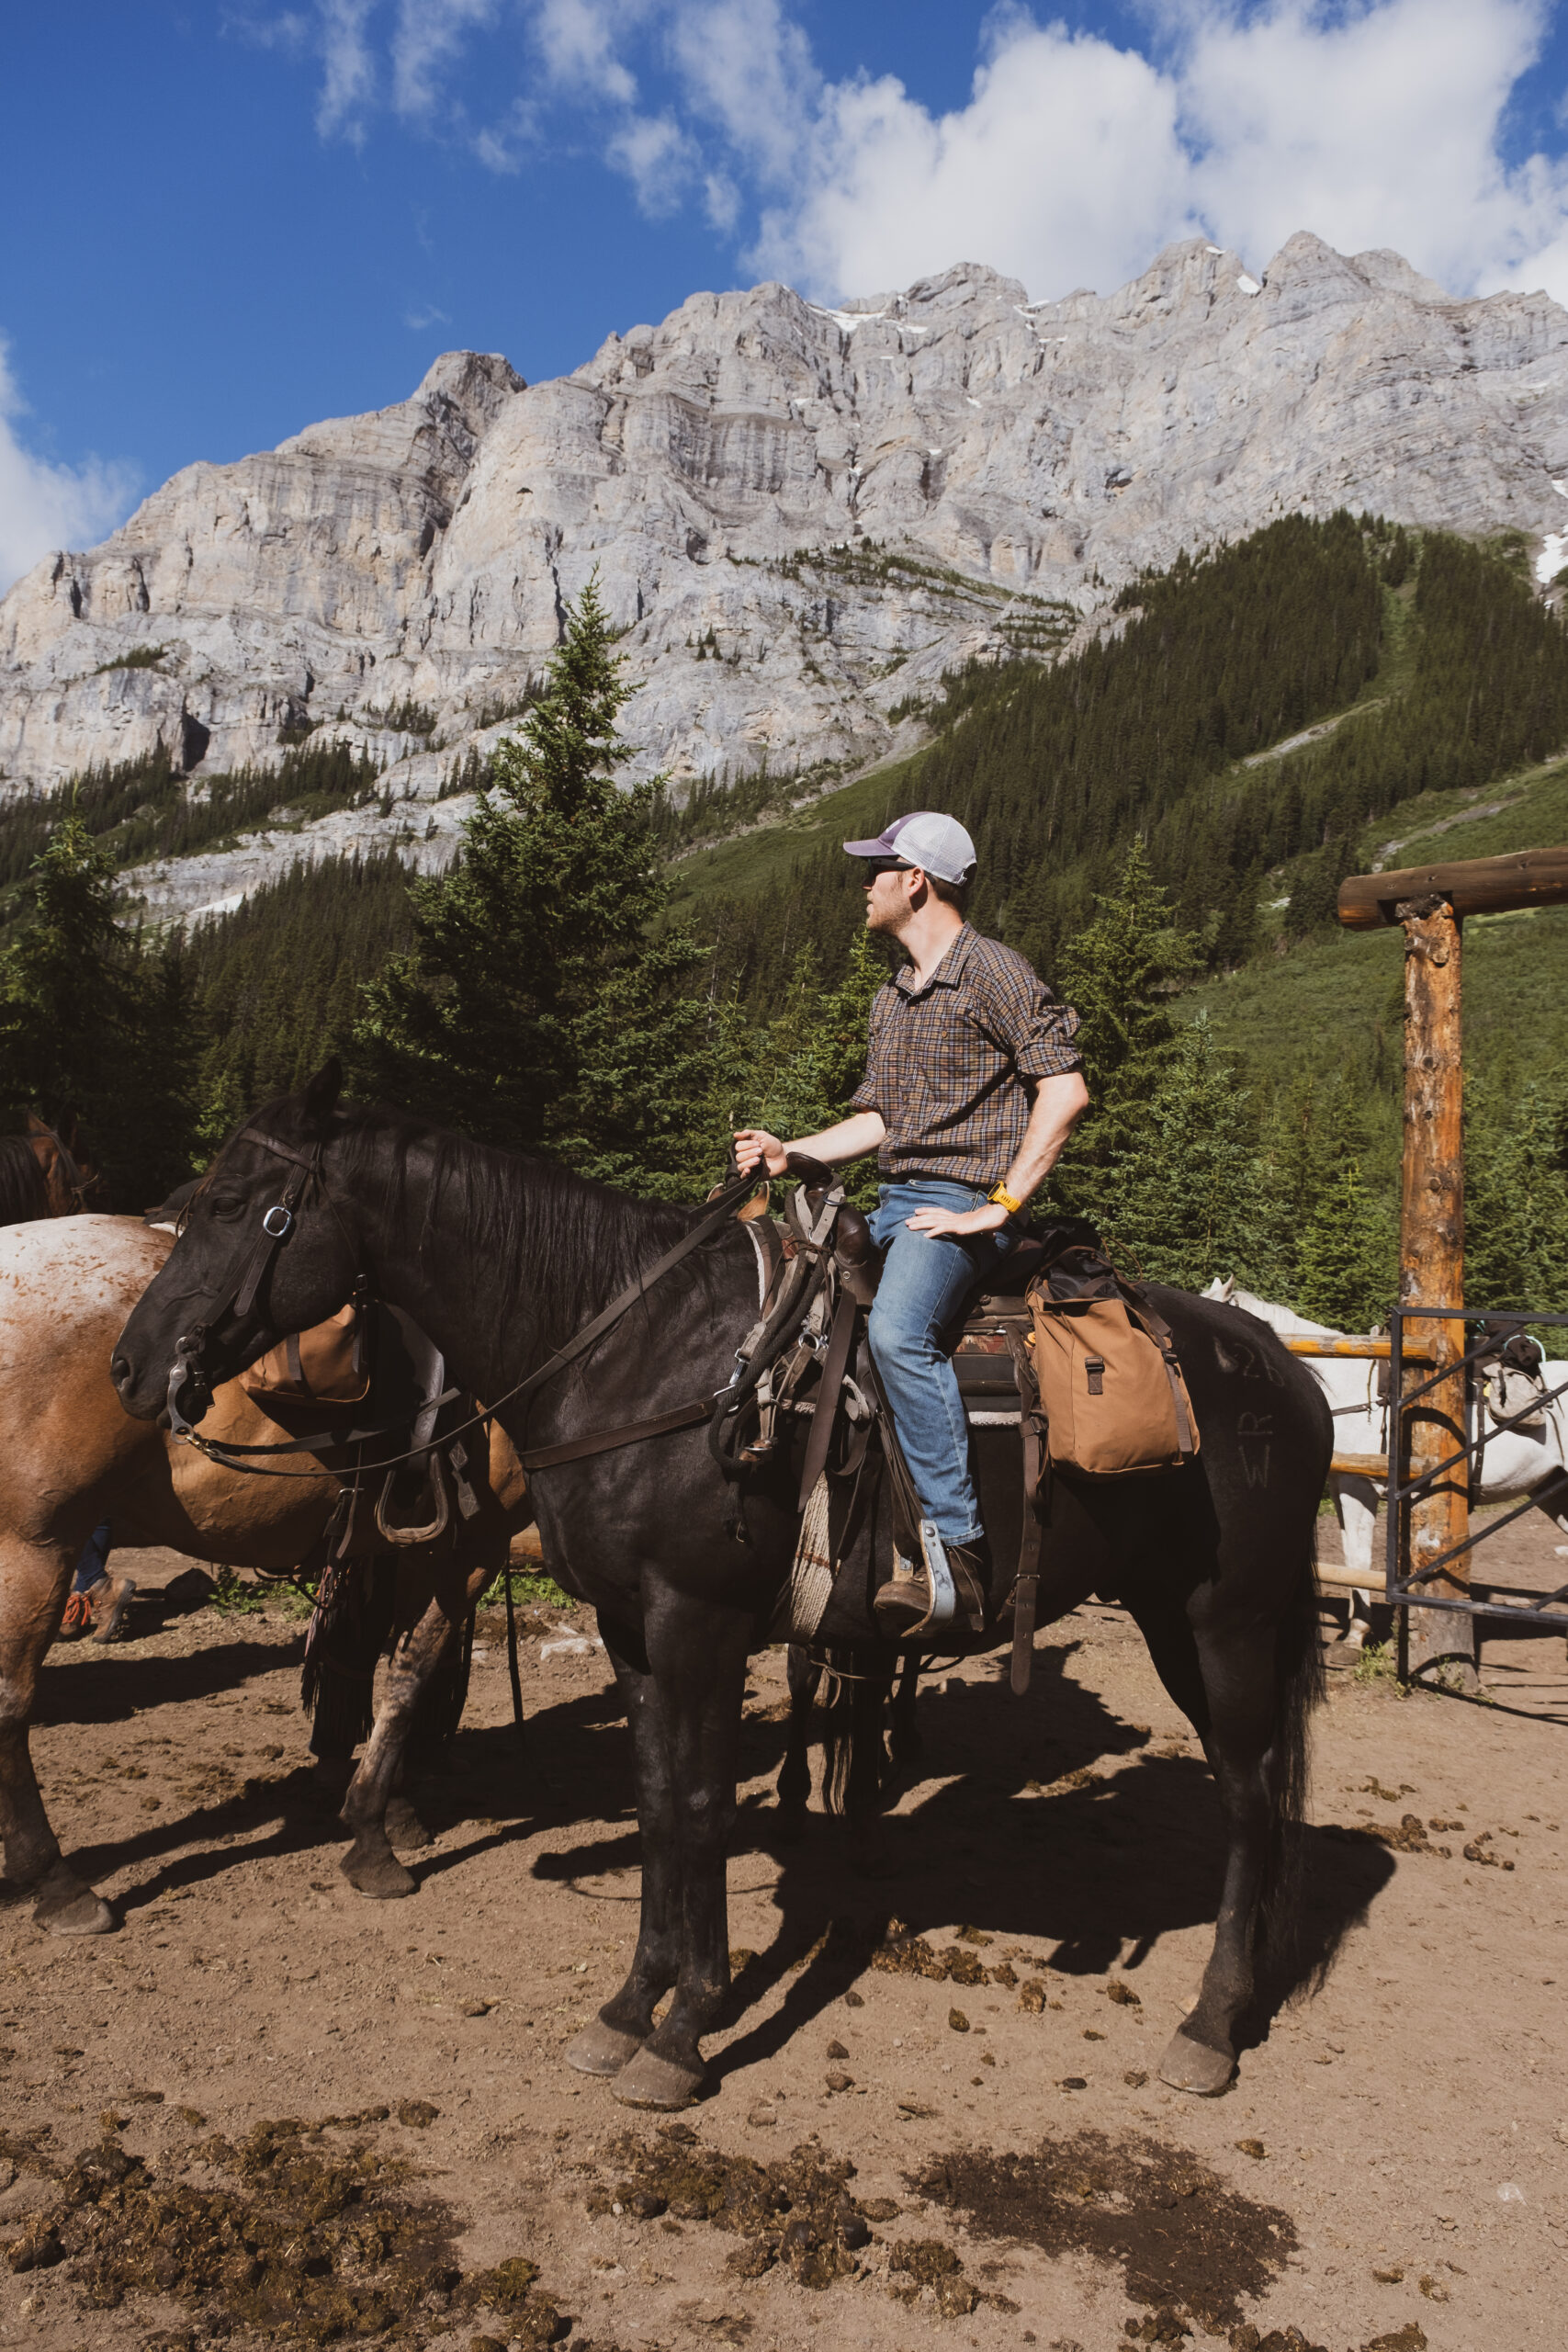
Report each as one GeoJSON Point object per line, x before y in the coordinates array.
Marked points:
{"type": "Point", "coordinates": [542, 1005]}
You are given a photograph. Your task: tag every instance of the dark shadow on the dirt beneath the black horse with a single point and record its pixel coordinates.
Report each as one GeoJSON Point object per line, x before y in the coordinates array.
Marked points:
{"type": "Point", "coordinates": [1026, 1843]}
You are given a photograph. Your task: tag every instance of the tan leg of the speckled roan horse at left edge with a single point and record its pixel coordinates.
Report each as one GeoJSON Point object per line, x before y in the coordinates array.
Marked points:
{"type": "Point", "coordinates": [32, 1603]}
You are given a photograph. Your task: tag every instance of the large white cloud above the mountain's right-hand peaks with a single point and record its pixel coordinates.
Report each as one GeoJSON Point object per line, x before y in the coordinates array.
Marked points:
{"type": "Point", "coordinates": [1071, 161]}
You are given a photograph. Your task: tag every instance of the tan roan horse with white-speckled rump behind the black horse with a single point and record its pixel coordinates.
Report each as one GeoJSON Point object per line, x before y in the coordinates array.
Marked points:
{"type": "Point", "coordinates": [74, 1457]}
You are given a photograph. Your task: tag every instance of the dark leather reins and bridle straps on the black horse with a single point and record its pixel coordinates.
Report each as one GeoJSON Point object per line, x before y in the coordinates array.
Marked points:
{"type": "Point", "coordinates": [279, 1224]}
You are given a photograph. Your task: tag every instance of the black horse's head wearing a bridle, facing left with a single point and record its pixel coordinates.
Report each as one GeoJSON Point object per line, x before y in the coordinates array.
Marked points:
{"type": "Point", "coordinates": [269, 1245]}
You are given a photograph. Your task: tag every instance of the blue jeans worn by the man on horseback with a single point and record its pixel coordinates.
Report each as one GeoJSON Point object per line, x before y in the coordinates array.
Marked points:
{"type": "Point", "coordinates": [925, 1281]}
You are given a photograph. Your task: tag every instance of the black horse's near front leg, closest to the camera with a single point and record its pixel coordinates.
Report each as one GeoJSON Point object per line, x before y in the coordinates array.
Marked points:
{"type": "Point", "coordinates": [697, 1655]}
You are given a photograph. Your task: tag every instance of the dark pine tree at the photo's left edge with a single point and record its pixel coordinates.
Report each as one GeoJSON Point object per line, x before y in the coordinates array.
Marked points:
{"type": "Point", "coordinates": [95, 1031]}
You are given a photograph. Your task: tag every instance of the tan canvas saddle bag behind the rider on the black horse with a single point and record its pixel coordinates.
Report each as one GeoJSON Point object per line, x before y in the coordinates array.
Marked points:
{"type": "Point", "coordinates": [1111, 1387]}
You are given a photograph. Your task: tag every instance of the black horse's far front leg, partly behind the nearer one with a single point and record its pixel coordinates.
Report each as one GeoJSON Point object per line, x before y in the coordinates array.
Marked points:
{"type": "Point", "coordinates": [626, 2019]}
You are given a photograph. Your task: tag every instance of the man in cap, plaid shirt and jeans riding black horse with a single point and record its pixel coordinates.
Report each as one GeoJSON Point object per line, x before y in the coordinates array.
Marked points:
{"type": "Point", "coordinates": [970, 1095]}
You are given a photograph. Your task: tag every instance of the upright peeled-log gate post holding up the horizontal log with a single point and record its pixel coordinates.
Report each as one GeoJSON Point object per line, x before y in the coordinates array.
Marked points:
{"type": "Point", "coordinates": [1433, 1267]}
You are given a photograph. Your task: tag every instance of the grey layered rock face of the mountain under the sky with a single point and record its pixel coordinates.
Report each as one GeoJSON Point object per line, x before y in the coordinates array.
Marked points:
{"type": "Point", "coordinates": [798, 516]}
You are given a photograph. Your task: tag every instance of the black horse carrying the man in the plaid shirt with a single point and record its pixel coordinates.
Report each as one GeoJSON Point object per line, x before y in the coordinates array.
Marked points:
{"type": "Point", "coordinates": [502, 1259]}
